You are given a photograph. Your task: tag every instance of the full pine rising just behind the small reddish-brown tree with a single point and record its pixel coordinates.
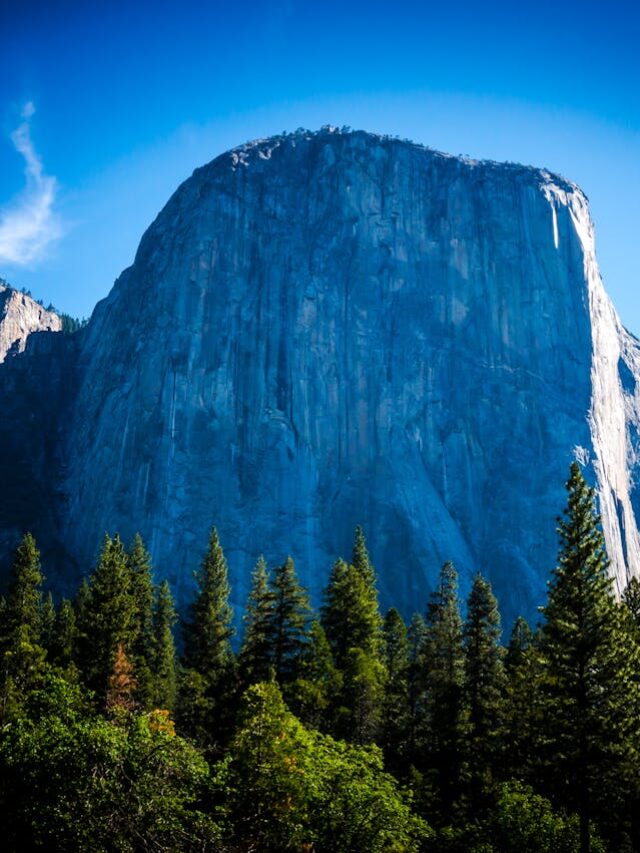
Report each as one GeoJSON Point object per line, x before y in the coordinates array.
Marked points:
{"type": "Point", "coordinates": [106, 613]}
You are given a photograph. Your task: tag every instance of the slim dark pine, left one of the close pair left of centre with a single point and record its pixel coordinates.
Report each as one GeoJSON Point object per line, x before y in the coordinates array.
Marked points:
{"type": "Point", "coordinates": [255, 658]}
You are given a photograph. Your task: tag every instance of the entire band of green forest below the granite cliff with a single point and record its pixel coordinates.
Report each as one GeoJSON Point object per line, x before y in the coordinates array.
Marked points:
{"type": "Point", "coordinates": [126, 728]}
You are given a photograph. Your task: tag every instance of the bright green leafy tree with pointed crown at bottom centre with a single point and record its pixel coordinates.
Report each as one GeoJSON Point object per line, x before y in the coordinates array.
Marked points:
{"type": "Point", "coordinates": [284, 787]}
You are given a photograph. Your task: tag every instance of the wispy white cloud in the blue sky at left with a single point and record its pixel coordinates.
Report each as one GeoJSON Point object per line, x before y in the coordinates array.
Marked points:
{"type": "Point", "coordinates": [29, 223]}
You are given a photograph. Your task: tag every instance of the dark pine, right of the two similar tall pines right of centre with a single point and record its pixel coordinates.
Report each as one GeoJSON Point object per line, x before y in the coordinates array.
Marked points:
{"type": "Point", "coordinates": [483, 683]}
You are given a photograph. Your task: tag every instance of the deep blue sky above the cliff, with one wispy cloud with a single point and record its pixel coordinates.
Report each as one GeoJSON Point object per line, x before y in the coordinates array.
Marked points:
{"type": "Point", "coordinates": [106, 107]}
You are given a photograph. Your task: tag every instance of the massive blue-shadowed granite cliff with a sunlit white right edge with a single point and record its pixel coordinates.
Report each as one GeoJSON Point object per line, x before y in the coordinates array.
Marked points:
{"type": "Point", "coordinates": [327, 329]}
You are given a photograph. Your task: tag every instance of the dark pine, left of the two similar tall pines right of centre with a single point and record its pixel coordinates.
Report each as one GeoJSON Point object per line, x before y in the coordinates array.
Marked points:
{"type": "Point", "coordinates": [441, 751]}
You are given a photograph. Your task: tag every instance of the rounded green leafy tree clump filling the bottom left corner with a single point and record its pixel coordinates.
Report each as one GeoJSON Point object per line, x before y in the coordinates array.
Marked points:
{"type": "Point", "coordinates": [73, 781]}
